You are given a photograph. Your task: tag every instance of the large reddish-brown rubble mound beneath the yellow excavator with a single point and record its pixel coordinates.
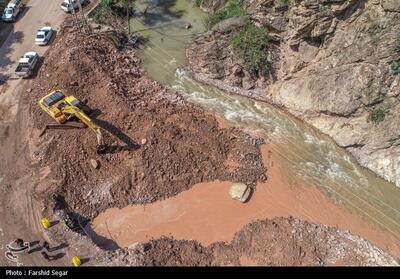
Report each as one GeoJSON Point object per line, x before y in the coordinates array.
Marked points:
{"type": "Point", "coordinates": [158, 145]}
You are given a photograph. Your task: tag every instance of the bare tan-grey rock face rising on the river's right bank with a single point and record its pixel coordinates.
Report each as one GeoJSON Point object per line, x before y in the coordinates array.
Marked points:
{"type": "Point", "coordinates": [330, 65]}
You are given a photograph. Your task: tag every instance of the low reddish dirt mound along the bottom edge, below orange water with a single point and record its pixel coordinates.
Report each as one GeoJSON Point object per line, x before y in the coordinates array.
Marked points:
{"type": "Point", "coordinates": [280, 241]}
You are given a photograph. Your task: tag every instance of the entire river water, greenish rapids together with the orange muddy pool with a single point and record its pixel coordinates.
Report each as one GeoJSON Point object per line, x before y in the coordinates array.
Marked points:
{"type": "Point", "coordinates": [319, 177]}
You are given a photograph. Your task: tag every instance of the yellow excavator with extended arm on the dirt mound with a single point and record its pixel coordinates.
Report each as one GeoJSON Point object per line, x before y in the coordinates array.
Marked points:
{"type": "Point", "coordinates": [64, 109]}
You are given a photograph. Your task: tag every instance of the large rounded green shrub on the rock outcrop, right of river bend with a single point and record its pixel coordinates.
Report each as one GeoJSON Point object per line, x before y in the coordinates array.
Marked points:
{"type": "Point", "coordinates": [249, 44]}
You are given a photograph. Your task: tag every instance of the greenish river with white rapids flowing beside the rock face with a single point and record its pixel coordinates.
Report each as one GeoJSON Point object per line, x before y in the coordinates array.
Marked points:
{"type": "Point", "coordinates": [307, 155]}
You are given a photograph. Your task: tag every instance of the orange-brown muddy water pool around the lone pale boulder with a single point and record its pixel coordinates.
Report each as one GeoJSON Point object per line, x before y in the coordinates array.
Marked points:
{"type": "Point", "coordinates": [207, 214]}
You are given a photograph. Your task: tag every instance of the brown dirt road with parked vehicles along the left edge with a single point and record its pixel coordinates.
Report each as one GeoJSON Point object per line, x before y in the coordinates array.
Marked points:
{"type": "Point", "coordinates": [18, 214]}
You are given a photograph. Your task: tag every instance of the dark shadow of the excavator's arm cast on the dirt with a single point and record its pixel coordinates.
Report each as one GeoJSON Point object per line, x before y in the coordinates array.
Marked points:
{"type": "Point", "coordinates": [130, 145]}
